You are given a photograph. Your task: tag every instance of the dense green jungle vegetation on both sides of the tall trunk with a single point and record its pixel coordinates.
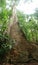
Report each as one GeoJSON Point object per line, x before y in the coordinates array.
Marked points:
{"type": "Point", "coordinates": [27, 23]}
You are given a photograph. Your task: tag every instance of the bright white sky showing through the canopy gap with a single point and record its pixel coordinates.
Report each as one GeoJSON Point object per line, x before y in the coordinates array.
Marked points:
{"type": "Point", "coordinates": [28, 7]}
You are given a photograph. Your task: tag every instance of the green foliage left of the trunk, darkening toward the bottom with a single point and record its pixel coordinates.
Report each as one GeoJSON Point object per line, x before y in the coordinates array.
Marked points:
{"type": "Point", "coordinates": [6, 43]}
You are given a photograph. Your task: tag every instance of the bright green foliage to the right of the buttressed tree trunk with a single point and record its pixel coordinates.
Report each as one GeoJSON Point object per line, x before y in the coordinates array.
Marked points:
{"type": "Point", "coordinates": [29, 28]}
